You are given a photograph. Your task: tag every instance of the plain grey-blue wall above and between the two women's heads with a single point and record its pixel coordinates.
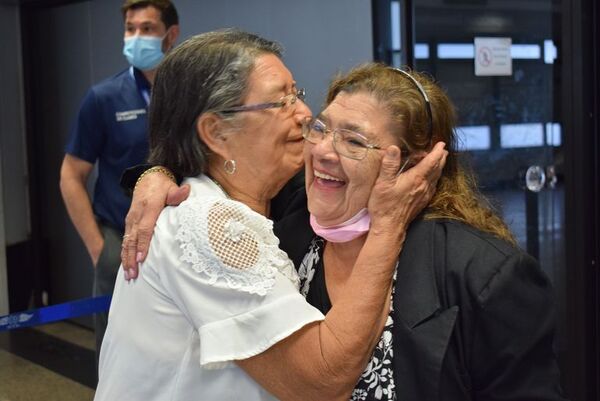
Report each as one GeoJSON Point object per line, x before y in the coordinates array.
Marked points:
{"type": "Point", "coordinates": [320, 37]}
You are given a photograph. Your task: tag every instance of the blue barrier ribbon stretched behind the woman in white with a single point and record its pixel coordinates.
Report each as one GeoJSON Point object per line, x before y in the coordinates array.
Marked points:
{"type": "Point", "coordinates": [54, 313]}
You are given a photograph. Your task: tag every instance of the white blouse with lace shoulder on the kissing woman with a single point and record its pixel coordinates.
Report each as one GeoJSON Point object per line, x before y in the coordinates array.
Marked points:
{"type": "Point", "coordinates": [214, 288]}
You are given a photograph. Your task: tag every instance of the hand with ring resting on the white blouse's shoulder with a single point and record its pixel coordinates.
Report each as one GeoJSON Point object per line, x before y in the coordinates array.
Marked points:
{"type": "Point", "coordinates": [150, 197]}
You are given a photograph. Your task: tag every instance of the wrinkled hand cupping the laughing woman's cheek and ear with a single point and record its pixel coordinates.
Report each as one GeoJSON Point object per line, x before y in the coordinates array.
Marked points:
{"type": "Point", "coordinates": [397, 199]}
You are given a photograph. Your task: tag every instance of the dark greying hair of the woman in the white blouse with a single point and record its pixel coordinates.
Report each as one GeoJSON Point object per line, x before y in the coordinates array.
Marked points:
{"type": "Point", "coordinates": [206, 73]}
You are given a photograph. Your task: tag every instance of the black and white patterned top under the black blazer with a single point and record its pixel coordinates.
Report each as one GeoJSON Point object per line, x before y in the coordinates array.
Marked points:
{"type": "Point", "coordinates": [377, 381]}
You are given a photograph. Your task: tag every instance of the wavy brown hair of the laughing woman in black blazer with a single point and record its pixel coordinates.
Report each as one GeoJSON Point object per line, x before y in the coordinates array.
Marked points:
{"type": "Point", "coordinates": [456, 197]}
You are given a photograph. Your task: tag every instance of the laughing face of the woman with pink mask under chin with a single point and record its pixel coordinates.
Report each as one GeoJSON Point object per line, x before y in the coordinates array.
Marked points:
{"type": "Point", "coordinates": [339, 187]}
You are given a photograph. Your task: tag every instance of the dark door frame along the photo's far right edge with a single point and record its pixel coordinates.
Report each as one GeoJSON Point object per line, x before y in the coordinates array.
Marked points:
{"type": "Point", "coordinates": [580, 104]}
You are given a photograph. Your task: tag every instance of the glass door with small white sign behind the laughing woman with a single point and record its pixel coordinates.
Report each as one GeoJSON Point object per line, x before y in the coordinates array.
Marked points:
{"type": "Point", "coordinates": [498, 61]}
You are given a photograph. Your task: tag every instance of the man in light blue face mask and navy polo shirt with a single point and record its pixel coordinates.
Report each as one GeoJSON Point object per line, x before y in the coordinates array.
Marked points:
{"type": "Point", "coordinates": [111, 129]}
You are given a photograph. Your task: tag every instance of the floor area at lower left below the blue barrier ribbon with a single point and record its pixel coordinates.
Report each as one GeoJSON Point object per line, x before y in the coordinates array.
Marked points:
{"type": "Point", "coordinates": [51, 362]}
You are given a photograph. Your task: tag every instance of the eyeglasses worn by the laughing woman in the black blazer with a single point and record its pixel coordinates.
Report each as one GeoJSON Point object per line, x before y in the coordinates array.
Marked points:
{"type": "Point", "coordinates": [345, 142]}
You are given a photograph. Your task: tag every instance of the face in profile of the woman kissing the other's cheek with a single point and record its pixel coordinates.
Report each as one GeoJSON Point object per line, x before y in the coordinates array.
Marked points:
{"type": "Point", "coordinates": [268, 149]}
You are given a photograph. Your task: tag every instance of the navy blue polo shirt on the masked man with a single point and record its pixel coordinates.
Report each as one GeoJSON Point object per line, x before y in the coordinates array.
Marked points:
{"type": "Point", "coordinates": [111, 128]}
